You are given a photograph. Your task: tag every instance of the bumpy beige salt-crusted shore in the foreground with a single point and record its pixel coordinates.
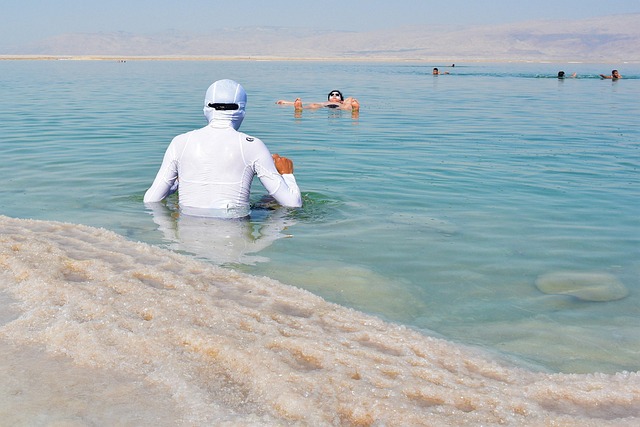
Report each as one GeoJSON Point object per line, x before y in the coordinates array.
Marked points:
{"type": "Point", "coordinates": [226, 348]}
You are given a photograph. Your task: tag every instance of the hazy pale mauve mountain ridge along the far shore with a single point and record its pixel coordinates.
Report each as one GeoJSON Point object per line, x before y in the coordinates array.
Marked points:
{"type": "Point", "coordinates": [609, 38]}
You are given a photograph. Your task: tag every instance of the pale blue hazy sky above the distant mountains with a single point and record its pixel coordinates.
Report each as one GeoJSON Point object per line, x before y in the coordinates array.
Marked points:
{"type": "Point", "coordinates": [24, 21]}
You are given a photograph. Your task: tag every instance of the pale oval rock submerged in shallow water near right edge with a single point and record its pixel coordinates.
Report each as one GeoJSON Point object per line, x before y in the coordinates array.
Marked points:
{"type": "Point", "coordinates": [587, 286]}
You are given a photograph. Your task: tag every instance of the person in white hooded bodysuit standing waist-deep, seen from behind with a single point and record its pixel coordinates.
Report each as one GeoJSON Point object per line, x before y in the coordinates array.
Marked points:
{"type": "Point", "coordinates": [215, 165]}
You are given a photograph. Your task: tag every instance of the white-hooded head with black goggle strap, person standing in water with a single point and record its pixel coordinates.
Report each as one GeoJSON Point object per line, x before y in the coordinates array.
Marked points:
{"type": "Point", "coordinates": [225, 100]}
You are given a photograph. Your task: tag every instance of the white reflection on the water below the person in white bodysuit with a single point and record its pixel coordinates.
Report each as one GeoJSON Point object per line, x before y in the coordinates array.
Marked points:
{"type": "Point", "coordinates": [221, 240]}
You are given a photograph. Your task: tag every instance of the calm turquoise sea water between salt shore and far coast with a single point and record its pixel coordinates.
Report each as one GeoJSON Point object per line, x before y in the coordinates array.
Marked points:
{"type": "Point", "coordinates": [438, 207]}
